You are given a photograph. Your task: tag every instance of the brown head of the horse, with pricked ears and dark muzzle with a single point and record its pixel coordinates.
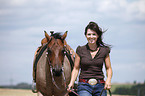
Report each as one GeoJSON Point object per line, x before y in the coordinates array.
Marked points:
{"type": "Point", "coordinates": [56, 49]}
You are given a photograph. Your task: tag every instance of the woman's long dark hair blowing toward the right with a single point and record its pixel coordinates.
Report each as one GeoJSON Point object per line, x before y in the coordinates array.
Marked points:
{"type": "Point", "coordinates": [94, 26]}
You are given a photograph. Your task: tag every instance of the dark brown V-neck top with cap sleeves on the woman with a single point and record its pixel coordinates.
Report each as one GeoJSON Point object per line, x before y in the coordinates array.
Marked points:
{"type": "Point", "coordinates": [92, 67]}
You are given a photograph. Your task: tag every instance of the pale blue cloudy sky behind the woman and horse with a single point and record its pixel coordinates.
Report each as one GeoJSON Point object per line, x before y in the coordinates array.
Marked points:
{"type": "Point", "coordinates": [22, 25]}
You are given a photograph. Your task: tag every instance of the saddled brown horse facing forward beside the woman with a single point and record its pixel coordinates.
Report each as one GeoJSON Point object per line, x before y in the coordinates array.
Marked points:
{"type": "Point", "coordinates": [53, 68]}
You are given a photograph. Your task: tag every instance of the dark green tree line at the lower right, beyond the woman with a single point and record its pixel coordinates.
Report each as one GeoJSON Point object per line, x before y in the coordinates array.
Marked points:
{"type": "Point", "coordinates": [137, 90]}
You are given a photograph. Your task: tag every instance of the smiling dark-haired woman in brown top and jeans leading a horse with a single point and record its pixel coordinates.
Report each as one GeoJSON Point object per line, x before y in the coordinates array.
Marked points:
{"type": "Point", "coordinates": [90, 59]}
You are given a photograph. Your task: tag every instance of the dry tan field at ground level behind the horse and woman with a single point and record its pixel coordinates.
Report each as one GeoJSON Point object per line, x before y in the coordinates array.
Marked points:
{"type": "Point", "coordinates": [22, 92]}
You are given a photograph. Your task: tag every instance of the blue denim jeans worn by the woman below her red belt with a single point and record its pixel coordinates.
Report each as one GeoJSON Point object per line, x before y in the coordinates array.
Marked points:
{"type": "Point", "coordinates": [85, 89]}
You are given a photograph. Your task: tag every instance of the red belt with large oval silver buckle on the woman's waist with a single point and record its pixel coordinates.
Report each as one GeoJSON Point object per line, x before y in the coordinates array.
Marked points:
{"type": "Point", "coordinates": [95, 81]}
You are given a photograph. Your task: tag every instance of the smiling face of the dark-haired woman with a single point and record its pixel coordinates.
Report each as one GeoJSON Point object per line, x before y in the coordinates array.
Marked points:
{"type": "Point", "coordinates": [91, 36]}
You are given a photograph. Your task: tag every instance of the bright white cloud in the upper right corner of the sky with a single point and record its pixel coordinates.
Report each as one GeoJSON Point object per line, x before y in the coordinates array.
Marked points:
{"type": "Point", "coordinates": [122, 9]}
